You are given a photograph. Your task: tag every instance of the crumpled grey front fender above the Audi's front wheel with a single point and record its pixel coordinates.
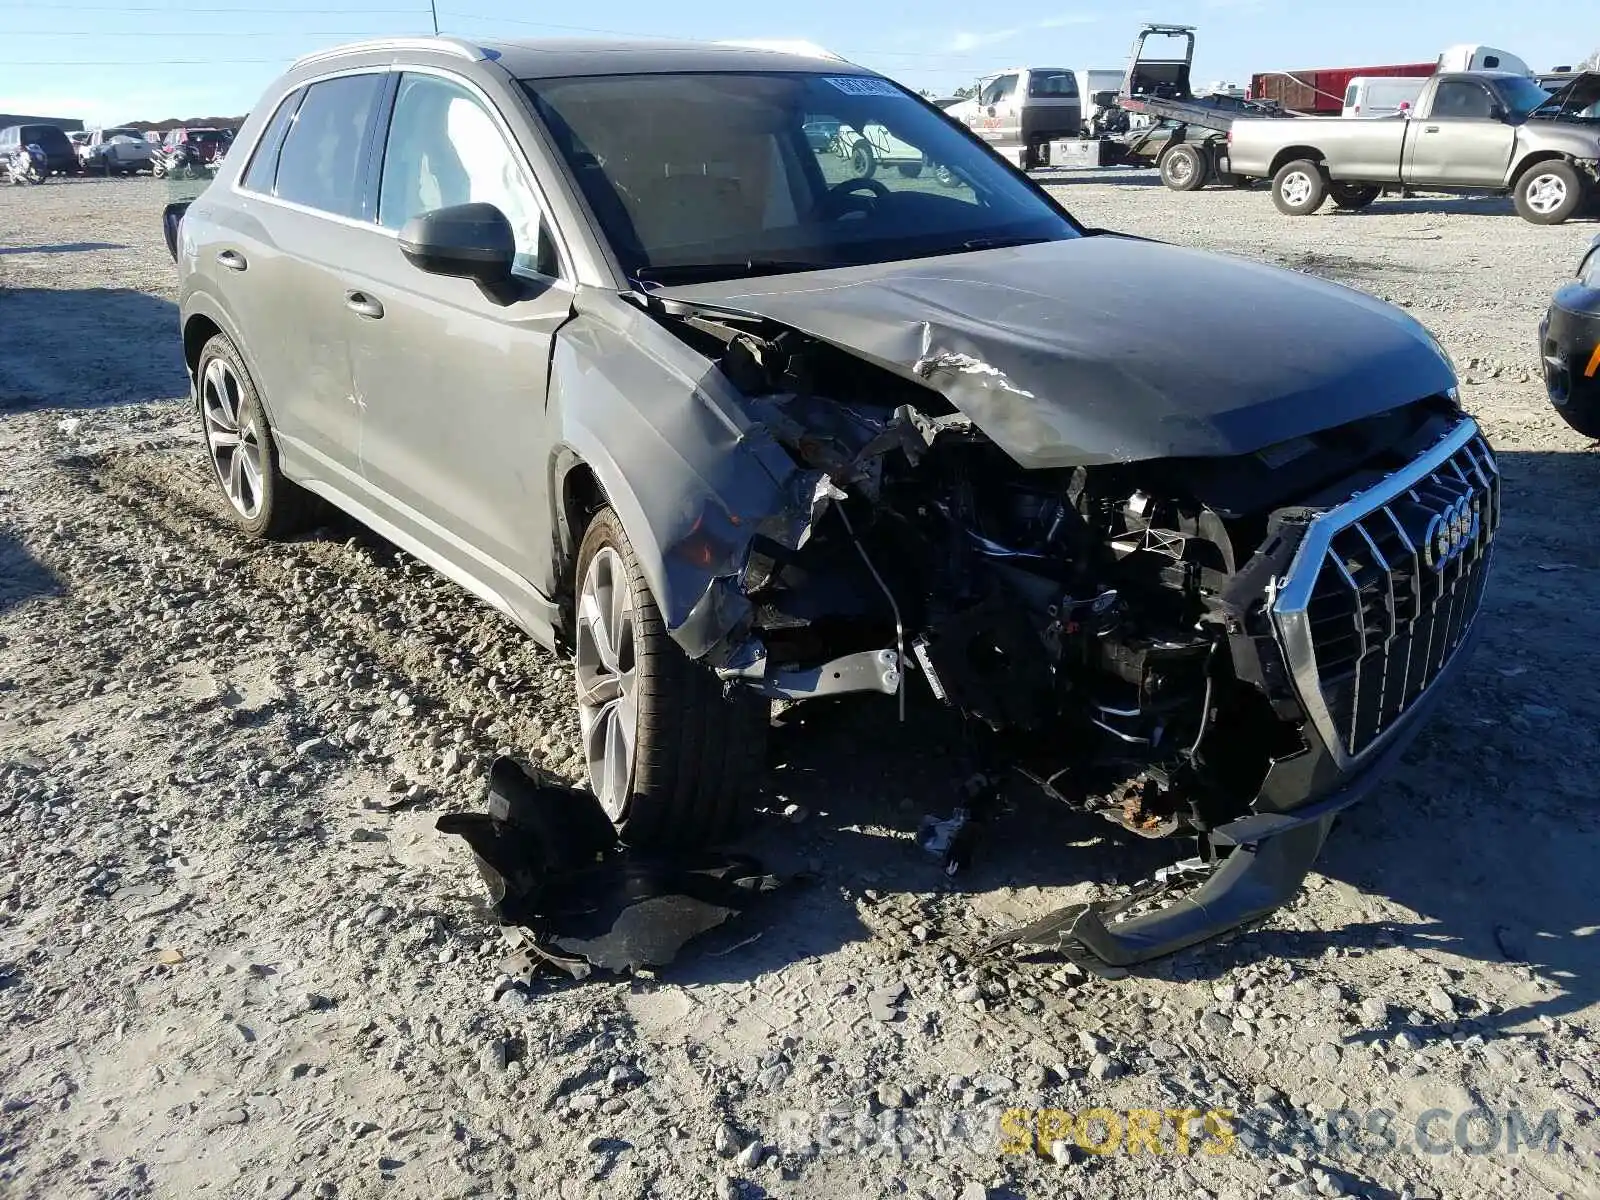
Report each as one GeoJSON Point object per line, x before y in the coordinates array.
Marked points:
{"type": "Point", "coordinates": [679, 458]}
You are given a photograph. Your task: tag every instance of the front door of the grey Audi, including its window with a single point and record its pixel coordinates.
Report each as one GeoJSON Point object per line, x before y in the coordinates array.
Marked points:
{"type": "Point", "coordinates": [450, 385]}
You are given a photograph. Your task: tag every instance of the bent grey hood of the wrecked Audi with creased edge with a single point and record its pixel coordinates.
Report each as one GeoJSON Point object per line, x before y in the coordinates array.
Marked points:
{"type": "Point", "coordinates": [1110, 350]}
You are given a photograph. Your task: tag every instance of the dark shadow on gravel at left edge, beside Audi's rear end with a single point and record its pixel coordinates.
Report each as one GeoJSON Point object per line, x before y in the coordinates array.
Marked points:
{"type": "Point", "coordinates": [89, 348]}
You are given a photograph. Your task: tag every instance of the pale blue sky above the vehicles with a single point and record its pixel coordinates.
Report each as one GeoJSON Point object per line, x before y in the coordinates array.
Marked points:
{"type": "Point", "coordinates": [103, 62]}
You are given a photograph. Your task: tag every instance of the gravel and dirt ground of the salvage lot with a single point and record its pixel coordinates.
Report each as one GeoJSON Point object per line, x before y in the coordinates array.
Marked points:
{"type": "Point", "coordinates": [238, 961]}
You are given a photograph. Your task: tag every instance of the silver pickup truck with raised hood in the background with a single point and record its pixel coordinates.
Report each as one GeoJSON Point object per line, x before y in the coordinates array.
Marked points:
{"type": "Point", "coordinates": [1471, 132]}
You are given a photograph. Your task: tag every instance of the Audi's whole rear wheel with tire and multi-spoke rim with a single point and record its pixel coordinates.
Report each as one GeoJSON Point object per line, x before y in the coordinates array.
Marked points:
{"type": "Point", "coordinates": [262, 502]}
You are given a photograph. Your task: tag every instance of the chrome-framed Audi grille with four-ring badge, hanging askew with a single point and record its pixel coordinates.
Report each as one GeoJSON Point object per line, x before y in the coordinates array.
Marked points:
{"type": "Point", "coordinates": [1385, 590]}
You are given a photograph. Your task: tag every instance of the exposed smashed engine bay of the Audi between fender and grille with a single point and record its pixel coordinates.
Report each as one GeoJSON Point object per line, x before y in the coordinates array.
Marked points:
{"type": "Point", "coordinates": [1105, 630]}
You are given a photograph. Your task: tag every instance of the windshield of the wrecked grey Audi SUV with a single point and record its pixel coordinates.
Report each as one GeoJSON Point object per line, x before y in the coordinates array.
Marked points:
{"type": "Point", "coordinates": [705, 177]}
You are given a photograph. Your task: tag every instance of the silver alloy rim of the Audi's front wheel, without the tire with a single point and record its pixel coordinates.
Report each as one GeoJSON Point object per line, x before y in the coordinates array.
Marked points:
{"type": "Point", "coordinates": [607, 679]}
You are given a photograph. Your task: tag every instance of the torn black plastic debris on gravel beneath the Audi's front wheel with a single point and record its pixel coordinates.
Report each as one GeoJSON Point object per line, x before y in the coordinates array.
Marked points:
{"type": "Point", "coordinates": [578, 898]}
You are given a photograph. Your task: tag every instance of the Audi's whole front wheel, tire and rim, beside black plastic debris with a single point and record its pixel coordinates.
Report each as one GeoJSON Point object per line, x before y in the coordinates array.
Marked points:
{"type": "Point", "coordinates": [674, 764]}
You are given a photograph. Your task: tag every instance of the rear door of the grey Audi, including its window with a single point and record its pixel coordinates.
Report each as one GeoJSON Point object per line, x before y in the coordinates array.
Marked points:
{"type": "Point", "coordinates": [278, 260]}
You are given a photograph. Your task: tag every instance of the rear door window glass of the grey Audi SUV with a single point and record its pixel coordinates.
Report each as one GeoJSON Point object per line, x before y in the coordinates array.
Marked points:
{"type": "Point", "coordinates": [321, 164]}
